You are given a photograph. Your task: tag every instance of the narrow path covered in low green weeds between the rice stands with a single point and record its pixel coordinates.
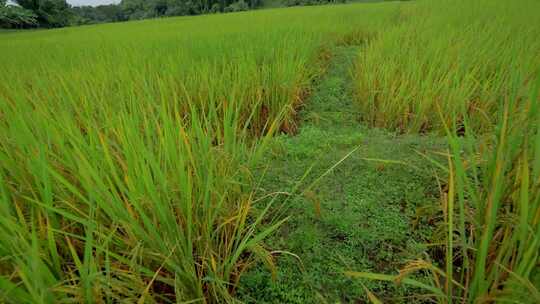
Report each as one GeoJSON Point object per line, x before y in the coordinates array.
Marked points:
{"type": "Point", "coordinates": [360, 216]}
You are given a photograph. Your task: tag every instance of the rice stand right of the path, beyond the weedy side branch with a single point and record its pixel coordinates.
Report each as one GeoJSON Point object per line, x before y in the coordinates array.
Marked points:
{"type": "Point", "coordinates": [409, 74]}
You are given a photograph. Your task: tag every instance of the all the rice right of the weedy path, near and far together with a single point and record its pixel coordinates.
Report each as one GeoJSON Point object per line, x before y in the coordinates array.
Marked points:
{"type": "Point", "coordinates": [478, 84]}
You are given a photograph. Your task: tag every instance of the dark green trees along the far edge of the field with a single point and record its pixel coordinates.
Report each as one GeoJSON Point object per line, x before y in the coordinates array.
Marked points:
{"type": "Point", "coordinates": [58, 13]}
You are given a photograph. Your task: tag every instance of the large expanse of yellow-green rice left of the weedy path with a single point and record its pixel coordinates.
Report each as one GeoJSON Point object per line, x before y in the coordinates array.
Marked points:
{"type": "Point", "coordinates": [126, 151]}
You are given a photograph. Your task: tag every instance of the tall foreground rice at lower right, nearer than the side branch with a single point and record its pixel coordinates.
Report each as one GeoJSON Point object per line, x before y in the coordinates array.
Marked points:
{"type": "Point", "coordinates": [490, 212]}
